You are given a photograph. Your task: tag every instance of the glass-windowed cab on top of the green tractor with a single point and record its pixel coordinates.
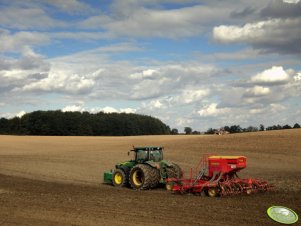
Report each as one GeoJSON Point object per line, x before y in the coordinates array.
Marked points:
{"type": "Point", "coordinates": [144, 154]}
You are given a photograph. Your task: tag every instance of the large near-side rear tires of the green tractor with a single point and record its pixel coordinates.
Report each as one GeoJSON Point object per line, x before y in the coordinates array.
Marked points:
{"type": "Point", "coordinates": [144, 177]}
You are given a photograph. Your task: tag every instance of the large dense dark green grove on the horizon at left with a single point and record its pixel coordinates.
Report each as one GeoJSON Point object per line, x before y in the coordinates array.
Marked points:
{"type": "Point", "coordinates": [58, 123]}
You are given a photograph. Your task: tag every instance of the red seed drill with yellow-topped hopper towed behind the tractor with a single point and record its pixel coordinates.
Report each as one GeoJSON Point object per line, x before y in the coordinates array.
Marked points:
{"type": "Point", "coordinates": [217, 177]}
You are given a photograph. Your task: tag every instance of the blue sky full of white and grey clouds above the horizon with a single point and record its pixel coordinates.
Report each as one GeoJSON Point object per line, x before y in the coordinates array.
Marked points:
{"type": "Point", "coordinates": [190, 63]}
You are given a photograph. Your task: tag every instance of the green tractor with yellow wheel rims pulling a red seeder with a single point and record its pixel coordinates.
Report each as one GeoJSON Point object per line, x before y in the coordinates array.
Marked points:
{"type": "Point", "coordinates": [147, 170]}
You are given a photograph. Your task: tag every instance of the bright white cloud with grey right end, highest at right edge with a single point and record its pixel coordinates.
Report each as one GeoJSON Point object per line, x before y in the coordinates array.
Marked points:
{"type": "Point", "coordinates": [280, 35]}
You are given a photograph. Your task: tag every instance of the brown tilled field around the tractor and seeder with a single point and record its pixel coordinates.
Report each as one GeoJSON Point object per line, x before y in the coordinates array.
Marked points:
{"type": "Point", "coordinates": [58, 180]}
